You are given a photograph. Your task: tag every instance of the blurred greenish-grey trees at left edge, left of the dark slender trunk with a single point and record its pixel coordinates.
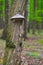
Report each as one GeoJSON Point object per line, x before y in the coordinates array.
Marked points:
{"type": "Point", "coordinates": [2, 13]}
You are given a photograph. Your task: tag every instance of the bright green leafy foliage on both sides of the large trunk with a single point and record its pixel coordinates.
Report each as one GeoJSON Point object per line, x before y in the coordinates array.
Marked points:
{"type": "Point", "coordinates": [31, 7]}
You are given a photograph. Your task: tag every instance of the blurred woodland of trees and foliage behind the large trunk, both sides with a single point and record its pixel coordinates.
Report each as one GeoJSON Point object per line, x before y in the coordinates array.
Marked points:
{"type": "Point", "coordinates": [34, 12]}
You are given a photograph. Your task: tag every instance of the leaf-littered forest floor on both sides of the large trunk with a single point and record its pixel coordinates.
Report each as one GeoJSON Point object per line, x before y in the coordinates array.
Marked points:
{"type": "Point", "coordinates": [32, 52]}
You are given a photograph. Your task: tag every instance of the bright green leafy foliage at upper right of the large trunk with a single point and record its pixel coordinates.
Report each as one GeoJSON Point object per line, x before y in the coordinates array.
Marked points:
{"type": "Point", "coordinates": [39, 10]}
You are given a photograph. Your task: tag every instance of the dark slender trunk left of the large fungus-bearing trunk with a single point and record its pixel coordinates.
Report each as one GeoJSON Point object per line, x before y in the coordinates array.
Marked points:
{"type": "Point", "coordinates": [6, 18]}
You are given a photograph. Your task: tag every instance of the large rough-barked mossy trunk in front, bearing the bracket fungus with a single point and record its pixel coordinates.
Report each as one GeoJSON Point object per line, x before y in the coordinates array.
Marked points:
{"type": "Point", "coordinates": [14, 42]}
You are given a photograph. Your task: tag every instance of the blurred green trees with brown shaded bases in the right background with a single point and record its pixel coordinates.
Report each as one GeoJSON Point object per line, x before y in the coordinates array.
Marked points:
{"type": "Point", "coordinates": [36, 8]}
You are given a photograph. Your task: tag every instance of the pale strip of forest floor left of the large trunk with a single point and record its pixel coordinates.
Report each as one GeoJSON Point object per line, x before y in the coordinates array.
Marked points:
{"type": "Point", "coordinates": [2, 50]}
